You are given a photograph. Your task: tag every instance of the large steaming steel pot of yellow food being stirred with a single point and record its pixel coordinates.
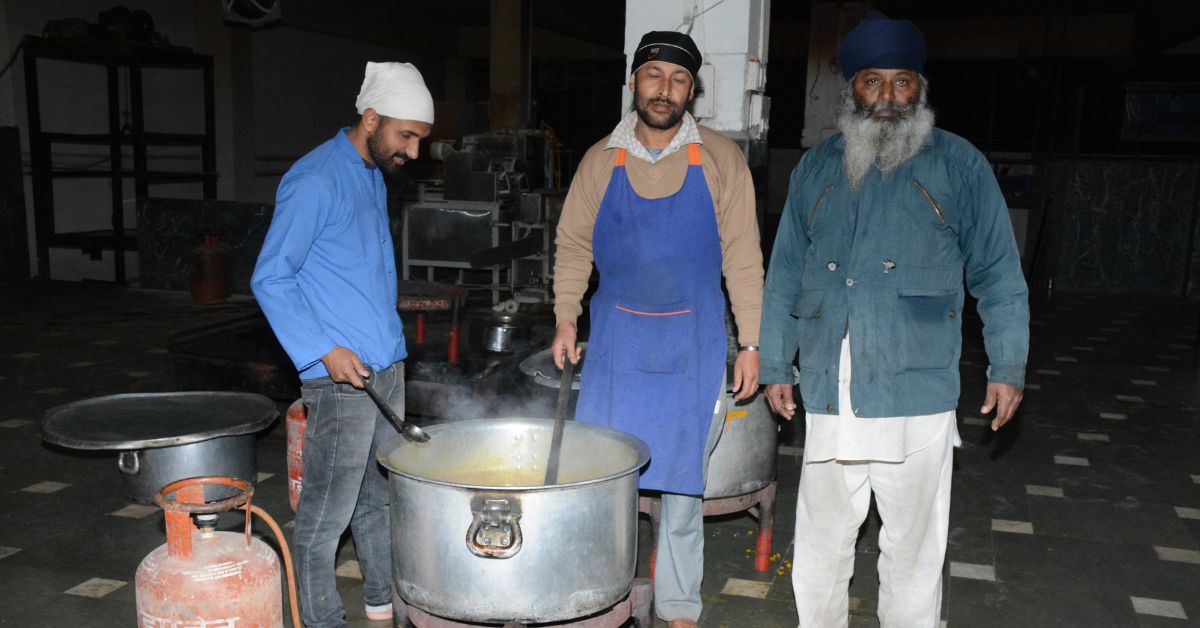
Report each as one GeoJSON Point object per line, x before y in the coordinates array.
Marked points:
{"type": "Point", "coordinates": [477, 537]}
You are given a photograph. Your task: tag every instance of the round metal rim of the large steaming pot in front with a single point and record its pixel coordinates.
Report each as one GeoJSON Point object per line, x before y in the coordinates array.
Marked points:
{"type": "Point", "coordinates": [638, 445]}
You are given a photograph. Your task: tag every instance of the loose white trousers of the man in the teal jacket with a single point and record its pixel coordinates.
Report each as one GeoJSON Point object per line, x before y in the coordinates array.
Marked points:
{"type": "Point", "coordinates": [914, 500]}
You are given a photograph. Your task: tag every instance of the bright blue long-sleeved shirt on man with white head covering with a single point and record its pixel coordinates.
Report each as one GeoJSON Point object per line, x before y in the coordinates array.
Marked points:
{"type": "Point", "coordinates": [327, 273]}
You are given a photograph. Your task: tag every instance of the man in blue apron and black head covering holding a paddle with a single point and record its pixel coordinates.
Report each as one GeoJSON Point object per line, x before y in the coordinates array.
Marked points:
{"type": "Point", "coordinates": [663, 208]}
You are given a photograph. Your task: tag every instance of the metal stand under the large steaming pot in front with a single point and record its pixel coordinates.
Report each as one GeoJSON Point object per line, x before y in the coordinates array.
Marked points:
{"type": "Point", "coordinates": [638, 606]}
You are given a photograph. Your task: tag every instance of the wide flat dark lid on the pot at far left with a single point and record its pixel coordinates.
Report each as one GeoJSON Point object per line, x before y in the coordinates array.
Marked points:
{"type": "Point", "coordinates": [147, 421]}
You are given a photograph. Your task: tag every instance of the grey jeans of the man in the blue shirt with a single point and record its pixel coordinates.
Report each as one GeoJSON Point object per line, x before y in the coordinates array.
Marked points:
{"type": "Point", "coordinates": [344, 486]}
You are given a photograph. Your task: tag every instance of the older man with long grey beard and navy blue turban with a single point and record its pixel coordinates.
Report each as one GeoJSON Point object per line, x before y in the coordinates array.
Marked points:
{"type": "Point", "coordinates": [884, 225]}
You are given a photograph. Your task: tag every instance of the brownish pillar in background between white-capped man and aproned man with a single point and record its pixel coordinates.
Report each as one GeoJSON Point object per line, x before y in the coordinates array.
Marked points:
{"type": "Point", "coordinates": [511, 59]}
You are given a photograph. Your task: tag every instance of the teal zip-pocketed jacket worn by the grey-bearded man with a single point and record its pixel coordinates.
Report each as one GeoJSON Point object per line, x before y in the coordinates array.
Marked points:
{"type": "Point", "coordinates": [889, 265]}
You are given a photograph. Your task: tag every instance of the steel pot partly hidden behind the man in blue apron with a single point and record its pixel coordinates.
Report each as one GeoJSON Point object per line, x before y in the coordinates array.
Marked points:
{"type": "Point", "coordinates": [745, 458]}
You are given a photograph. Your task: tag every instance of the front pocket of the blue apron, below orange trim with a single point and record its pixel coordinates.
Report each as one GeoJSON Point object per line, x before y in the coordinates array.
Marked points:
{"type": "Point", "coordinates": [655, 339]}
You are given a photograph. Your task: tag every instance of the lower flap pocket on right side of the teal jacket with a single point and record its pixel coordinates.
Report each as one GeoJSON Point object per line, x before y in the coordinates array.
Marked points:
{"type": "Point", "coordinates": [929, 330]}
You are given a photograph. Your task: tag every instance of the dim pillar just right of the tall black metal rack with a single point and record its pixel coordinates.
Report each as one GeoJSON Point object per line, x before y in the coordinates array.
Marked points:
{"type": "Point", "coordinates": [233, 85]}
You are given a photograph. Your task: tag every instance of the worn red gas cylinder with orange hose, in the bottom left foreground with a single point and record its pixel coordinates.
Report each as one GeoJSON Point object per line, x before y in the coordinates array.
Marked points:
{"type": "Point", "coordinates": [207, 578]}
